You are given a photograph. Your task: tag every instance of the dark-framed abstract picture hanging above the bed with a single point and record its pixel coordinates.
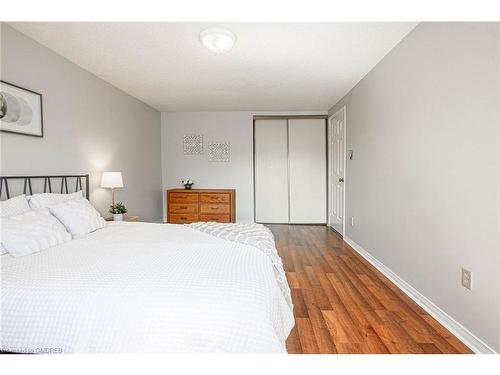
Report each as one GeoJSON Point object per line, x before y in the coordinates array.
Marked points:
{"type": "Point", "coordinates": [20, 110]}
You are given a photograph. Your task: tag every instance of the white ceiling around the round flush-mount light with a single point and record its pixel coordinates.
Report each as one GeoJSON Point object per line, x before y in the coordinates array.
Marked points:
{"type": "Point", "coordinates": [272, 67]}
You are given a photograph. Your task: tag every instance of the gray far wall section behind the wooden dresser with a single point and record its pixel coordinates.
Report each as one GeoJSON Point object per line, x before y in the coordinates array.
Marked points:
{"type": "Point", "coordinates": [234, 127]}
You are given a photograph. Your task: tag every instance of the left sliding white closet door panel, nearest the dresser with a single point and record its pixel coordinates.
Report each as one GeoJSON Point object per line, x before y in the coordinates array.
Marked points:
{"type": "Point", "coordinates": [271, 171]}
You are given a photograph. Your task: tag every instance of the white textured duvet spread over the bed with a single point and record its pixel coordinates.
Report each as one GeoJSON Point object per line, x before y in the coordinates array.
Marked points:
{"type": "Point", "coordinates": [138, 287]}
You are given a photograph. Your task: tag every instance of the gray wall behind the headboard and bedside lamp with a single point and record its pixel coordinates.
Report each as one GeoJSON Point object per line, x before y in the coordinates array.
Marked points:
{"type": "Point", "coordinates": [89, 126]}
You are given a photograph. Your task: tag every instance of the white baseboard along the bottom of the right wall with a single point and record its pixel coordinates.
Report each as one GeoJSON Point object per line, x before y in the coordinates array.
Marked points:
{"type": "Point", "coordinates": [462, 333]}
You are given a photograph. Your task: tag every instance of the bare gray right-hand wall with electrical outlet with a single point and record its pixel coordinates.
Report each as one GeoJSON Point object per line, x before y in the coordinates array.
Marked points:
{"type": "Point", "coordinates": [424, 183]}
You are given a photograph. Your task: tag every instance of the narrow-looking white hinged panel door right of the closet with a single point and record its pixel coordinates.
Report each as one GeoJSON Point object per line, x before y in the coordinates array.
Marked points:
{"type": "Point", "coordinates": [337, 171]}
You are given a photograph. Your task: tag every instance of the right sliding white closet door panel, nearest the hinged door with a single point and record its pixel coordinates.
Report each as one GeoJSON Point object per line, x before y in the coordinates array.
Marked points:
{"type": "Point", "coordinates": [307, 170]}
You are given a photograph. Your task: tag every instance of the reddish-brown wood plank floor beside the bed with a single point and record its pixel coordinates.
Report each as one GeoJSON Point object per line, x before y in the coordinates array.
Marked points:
{"type": "Point", "coordinates": [342, 304]}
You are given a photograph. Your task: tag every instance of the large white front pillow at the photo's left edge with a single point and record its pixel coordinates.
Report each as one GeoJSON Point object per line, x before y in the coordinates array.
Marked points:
{"type": "Point", "coordinates": [31, 232]}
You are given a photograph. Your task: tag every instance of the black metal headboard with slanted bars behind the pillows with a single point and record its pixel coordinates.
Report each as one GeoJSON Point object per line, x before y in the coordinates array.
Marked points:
{"type": "Point", "coordinates": [48, 181]}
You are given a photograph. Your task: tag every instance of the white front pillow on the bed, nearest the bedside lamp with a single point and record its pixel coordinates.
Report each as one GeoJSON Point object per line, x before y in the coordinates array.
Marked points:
{"type": "Point", "coordinates": [78, 216]}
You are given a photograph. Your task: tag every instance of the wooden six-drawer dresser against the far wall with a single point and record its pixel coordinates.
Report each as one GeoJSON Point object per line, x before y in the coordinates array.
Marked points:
{"type": "Point", "coordinates": [187, 206]}
